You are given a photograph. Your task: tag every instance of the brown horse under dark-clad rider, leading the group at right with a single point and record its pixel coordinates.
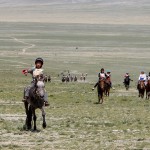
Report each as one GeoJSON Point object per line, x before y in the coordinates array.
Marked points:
{"type": "Point", "coordinates": [101, 90]}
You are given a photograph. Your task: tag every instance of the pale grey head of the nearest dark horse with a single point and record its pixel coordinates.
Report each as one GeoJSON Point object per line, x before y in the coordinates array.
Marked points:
{"type": "Point", "coordinates": [40, 87]}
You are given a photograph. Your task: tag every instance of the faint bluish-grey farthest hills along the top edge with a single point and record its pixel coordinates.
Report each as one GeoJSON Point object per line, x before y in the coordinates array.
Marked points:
{"type": "Point", "coordinates": [4, 3]}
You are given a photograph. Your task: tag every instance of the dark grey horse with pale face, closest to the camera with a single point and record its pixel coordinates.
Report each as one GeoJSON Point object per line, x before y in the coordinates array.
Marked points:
{"type": "Point", "coordinates": [36, 100]}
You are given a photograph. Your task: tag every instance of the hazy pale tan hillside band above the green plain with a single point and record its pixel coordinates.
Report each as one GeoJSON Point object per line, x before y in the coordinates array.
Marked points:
{"type": "Point", "coordinates": [76, 11]}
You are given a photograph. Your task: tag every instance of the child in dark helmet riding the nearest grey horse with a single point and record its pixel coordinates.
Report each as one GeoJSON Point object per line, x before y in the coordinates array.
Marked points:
{"type": "Point", "coordinates": [35, 71]}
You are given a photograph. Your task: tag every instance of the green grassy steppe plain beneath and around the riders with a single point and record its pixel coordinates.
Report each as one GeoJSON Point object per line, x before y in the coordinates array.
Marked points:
{"type": "Point", "coordinates": [74, 120]}
